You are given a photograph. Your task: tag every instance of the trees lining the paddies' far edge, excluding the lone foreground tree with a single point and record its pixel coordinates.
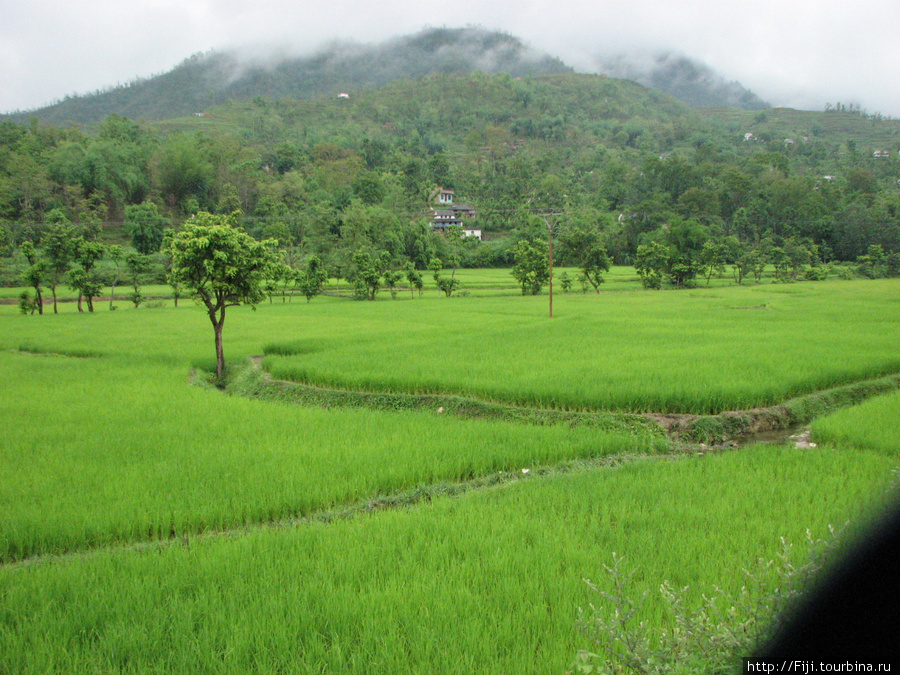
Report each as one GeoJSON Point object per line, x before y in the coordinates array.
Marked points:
{"type": "Point", "coordinates": [678, 254]}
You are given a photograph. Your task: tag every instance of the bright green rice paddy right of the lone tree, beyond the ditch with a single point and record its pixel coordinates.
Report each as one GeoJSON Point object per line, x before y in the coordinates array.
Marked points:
{"type": "Point", "coordinates": [700, 351]}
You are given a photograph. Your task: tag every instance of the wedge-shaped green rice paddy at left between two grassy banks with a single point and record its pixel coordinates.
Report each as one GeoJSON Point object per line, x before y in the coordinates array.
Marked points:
{"type": "Point", "coordinates": [109, 451]}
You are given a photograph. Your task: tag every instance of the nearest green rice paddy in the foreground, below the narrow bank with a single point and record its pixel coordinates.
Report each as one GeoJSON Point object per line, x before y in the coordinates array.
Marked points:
{"type": "Point", "coordinates": [490, 582]}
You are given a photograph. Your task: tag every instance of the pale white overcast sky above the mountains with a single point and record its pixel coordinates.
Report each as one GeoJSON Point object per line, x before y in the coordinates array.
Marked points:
{"type": "Point", "coordinates": [799, 53]}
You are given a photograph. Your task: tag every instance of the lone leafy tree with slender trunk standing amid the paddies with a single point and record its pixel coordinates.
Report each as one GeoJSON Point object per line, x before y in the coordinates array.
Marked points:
{"type": "Point", "coordinates": [221, 266]}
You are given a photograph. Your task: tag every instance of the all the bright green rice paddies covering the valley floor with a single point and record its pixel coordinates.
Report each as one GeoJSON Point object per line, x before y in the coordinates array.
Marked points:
{"type": "Point", "coordinates": [151, 524]}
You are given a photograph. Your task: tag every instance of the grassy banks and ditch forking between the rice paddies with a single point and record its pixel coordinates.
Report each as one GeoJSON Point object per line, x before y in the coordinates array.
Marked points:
{"type": "Point", "coordinates": [688, 435]}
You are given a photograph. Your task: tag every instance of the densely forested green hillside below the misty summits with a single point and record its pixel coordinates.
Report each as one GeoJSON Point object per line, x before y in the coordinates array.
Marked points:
{"type": "Point", "coordinates": [624, 167]}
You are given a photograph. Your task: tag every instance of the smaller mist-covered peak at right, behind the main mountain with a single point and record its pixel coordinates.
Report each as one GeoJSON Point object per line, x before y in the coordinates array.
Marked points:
{"type": "Point", "coordinates": [693, 83]}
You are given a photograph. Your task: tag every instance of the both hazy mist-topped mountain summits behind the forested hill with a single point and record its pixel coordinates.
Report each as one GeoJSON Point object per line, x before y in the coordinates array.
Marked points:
{"type": "Point", "coordinates": [206, 80]}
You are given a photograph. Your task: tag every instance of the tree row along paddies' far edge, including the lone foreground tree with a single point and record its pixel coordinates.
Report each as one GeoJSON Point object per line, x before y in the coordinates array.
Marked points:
{"type": "Point", "coordinates": [214, 260]}
